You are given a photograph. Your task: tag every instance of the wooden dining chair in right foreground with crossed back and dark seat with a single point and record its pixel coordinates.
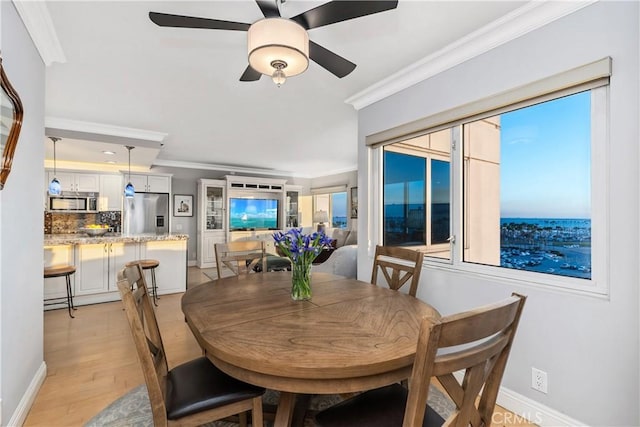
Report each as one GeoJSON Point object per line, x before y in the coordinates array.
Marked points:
{"type": "Point", "coordinates": [486, 336]}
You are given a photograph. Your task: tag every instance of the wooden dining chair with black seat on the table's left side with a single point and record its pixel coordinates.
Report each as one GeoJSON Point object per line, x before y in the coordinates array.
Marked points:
{"type": "Point", "coordinates": [193, 393]}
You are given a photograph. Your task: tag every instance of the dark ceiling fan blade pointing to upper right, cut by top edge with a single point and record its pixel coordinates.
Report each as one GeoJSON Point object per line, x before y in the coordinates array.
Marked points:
{"type": "Point", "coordinates": [341, 10]}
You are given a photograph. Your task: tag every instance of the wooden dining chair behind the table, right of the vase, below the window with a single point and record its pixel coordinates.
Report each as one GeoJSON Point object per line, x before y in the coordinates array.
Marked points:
{"type": "Point", "coordinates": [398, 266]}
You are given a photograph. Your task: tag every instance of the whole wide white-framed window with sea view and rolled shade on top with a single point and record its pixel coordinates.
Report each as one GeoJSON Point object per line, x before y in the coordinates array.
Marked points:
{"type": "Point", "coordinates": [522, 193]}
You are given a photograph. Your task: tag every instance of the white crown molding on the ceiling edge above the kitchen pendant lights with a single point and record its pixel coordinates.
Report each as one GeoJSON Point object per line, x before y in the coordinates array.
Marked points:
{"type": "Point", "coordinates": [56, 126]}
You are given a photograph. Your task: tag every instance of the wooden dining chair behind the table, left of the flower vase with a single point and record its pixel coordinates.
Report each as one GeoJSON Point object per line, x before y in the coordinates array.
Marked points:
{"type": "Point", "coordinates": [241, 257]}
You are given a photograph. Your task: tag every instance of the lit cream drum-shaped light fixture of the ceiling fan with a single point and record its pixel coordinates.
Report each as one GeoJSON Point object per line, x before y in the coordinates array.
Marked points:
{"type": "Point", "coordinates": [275, 41]}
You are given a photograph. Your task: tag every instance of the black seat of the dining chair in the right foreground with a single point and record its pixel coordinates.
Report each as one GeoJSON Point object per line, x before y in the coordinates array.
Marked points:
{"type": "Point", "coordinates": [382, 407]}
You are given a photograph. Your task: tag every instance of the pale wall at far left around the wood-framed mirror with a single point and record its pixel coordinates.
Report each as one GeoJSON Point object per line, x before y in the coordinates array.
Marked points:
{"type": "Point", "coordinates": [21, 282]}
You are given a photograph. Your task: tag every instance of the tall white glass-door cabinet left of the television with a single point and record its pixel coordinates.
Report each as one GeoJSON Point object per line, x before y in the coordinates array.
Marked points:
{"type": "Point", "coordinates": [211, 220]}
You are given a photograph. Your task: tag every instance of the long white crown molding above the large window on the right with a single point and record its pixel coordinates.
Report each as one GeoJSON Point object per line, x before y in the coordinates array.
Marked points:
{"type": "Point", "coordinates": [523, 20]}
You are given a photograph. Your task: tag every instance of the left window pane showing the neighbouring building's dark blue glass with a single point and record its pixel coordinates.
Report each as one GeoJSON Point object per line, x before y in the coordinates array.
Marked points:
{"type": "Point", "coordinates": [417, 193]}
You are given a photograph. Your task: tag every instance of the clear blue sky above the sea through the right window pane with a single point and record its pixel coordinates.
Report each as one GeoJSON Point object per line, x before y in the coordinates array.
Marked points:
{"type": "Point", "coordinates": [545, 166]}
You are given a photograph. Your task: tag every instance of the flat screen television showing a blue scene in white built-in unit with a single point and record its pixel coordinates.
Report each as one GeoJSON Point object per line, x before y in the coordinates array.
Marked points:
{"type": "Point", "coordinates": [246, 214]}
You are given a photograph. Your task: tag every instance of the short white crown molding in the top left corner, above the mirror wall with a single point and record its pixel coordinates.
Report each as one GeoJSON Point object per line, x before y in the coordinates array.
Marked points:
{"type": "Point", "coordinates": [37, 20]}
